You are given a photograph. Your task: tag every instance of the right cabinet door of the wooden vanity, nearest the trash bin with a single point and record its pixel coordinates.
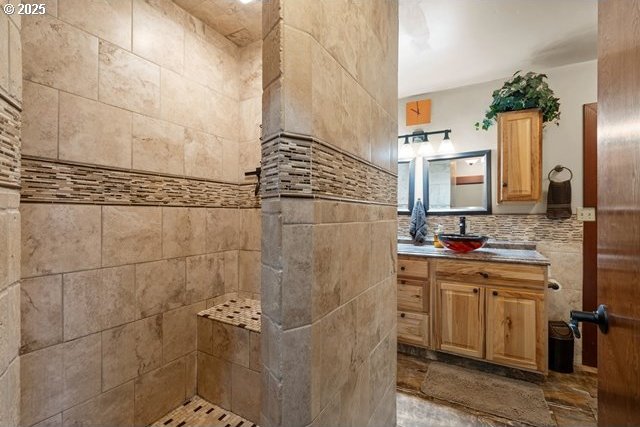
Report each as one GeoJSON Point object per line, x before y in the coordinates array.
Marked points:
{"type": "Point", "coordinates": [515, 328]}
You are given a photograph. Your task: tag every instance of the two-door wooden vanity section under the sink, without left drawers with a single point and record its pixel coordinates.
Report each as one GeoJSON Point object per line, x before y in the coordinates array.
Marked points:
{"type": "Point", "coordinates": [492, 311]}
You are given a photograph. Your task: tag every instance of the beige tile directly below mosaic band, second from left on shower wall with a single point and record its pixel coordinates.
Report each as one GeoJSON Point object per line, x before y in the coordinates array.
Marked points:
{"type": "Point", "coordinates": [131, 234]}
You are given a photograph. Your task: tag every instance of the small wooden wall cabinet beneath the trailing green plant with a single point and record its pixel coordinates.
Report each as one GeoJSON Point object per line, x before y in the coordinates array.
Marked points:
{"type": "Point", "coordinates": [519, 155]}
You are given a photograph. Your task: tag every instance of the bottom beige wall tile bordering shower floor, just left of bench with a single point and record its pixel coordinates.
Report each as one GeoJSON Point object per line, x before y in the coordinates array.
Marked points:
{"type": "Point", "coordinates": [159, 392]}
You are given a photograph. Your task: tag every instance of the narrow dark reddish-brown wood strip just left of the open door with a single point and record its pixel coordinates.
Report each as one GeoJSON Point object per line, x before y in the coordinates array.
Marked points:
{"type": "Point", "coordinates": [590, 232]}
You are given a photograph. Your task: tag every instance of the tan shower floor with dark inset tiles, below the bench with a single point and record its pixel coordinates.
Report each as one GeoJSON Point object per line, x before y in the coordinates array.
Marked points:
{"type": "Point", "coordinates": [199, 412]}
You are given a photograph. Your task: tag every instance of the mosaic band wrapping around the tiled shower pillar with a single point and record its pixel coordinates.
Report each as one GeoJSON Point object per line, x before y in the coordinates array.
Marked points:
{"type": "Point", "coordinates": [302, 166]}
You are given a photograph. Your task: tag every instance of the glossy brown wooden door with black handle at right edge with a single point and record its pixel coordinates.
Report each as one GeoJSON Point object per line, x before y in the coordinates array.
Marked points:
{"type": "Point", "coordinates": [619, 211]}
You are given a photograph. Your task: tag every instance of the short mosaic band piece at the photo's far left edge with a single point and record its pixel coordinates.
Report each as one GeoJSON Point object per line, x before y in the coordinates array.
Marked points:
{"type": "Point", "coordinates": [10, 120]}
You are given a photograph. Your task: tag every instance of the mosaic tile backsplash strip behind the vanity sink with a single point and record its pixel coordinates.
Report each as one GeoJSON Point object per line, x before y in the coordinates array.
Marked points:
{"type": "Point", "coordinates": [530, 228]}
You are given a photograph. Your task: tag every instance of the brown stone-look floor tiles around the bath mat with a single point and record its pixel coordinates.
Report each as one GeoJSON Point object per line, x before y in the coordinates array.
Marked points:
{"type": "Point", "coordinates": [571, 399]}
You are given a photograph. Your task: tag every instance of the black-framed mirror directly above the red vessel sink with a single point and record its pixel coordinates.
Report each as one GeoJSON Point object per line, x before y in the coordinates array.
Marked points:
{"type": "Point", "coordinates": [458, 183]}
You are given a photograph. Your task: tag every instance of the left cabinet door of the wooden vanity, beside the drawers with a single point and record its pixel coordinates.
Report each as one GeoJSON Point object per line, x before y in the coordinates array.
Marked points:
{"type": "Point", "coordinates": [461, 318]}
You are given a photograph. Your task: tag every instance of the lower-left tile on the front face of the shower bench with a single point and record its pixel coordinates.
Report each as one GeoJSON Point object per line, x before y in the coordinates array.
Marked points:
{"type": "Point", "coordinates": [214, 380]}
